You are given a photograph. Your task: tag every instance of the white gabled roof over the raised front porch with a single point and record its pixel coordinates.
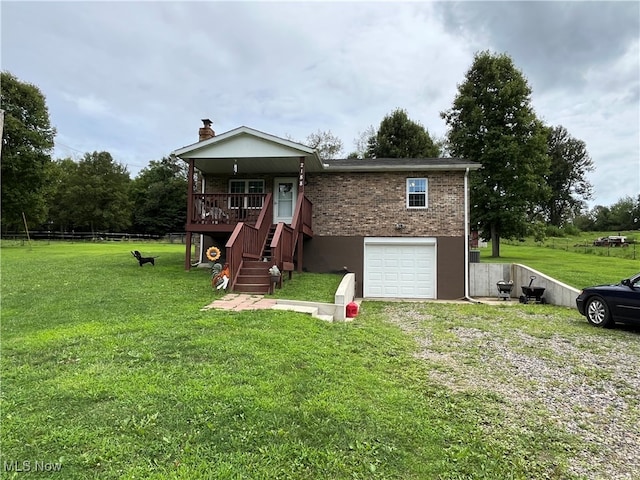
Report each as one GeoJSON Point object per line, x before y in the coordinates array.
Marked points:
{"type": "Point", "coordinates": [251, 151]}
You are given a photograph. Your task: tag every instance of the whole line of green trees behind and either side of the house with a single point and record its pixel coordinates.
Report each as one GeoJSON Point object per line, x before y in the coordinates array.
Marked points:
{"type": "Point", "coordinates": [532, 175]}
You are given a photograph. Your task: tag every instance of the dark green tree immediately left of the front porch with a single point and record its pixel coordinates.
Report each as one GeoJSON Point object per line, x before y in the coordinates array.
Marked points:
{"type": "Point", "coordinates": [159, 194]}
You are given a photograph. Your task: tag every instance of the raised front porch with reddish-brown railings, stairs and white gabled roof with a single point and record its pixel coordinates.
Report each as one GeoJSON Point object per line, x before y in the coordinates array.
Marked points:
{"type": "Point", "coordinates": [246, 188]}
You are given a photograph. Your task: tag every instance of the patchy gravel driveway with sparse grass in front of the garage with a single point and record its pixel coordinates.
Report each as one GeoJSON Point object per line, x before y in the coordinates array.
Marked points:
{"type": "Point", "coordinates": [583, 379]}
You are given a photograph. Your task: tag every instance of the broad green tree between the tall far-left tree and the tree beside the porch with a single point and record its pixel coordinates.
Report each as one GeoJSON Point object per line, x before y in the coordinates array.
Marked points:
{"type": "Point", "coordinates": [93, 194]}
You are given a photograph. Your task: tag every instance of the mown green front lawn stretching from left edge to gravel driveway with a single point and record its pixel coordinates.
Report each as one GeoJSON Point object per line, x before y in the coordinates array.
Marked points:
{"type": "Point", "coordinates": [113, 371]}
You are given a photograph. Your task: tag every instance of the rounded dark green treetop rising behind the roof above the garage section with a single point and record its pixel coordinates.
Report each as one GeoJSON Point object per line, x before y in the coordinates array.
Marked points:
{"type": "Point", "coordinates": [400, 137]}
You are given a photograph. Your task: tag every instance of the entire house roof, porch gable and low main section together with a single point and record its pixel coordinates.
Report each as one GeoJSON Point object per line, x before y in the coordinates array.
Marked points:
{"type": "Point", "coordinates": [247, 150]}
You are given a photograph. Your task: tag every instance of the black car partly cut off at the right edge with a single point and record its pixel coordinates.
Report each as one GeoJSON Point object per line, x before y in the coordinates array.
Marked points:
{"type": "Point", "coordinates": [606, 304]}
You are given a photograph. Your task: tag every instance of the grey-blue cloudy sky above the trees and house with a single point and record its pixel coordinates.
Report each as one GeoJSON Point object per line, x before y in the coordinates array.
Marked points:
{"type": "Point", "coordinates": [135, 78]}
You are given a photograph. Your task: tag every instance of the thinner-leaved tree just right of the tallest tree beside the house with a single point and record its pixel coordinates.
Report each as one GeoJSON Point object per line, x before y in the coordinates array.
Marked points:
{"type": "Point", "coordinates": [569, 188]}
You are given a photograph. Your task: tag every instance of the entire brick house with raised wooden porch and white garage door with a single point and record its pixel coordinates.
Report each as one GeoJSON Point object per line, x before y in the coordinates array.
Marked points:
{"type": "Point", "coordinates": [401, 225]}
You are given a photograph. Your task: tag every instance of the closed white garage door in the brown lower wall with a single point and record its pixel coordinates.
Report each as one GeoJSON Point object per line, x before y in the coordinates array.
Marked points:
{"type": "Point", "coordinates": [400, 267]}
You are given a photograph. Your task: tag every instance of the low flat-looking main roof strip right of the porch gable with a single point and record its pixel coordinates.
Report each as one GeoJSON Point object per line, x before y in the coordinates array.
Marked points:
{"type": "Point", "coordinates": [398, 164]}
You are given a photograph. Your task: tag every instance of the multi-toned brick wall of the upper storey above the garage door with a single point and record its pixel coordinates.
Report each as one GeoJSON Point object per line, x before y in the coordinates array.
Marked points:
{"type": "Point", "coordinates": [371, 204]}
